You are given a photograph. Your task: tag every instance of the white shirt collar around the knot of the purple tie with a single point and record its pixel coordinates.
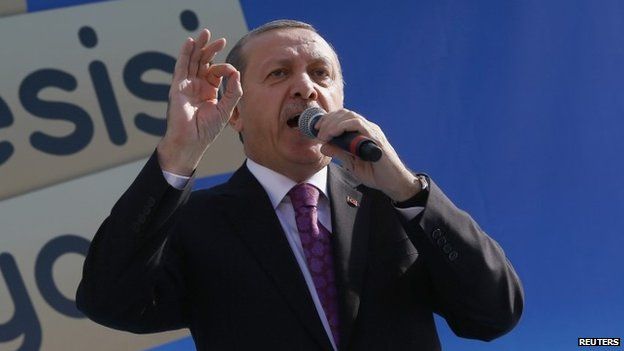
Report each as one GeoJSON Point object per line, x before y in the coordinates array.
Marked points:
{"type": "Point", "coordinates": [278, 185]}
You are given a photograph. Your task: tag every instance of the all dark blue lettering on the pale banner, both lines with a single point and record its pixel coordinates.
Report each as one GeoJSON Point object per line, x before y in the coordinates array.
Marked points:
{"type": "Point", "coordinates": [25, 321]}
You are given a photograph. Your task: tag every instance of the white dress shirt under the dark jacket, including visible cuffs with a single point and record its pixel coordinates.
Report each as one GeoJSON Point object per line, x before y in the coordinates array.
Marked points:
{"type": "Point", "coordinates": [277, 187]}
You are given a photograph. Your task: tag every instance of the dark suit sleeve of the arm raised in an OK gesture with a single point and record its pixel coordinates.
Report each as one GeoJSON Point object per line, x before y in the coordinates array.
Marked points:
{"type": "Point", "coordinates": [131, 275]}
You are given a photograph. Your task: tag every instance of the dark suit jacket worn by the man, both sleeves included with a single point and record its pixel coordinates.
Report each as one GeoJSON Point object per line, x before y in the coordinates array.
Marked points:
{"type": "Point", "coordinates": [218, 262]}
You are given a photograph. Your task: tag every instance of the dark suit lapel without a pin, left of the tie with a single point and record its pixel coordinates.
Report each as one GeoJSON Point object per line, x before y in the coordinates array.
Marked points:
{"type": "Point", "coordinates": [251, 212]}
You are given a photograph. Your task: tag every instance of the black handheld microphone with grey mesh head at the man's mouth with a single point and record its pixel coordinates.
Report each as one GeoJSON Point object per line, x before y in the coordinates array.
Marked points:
{"type": "Point", "coordinates": [352, 142]}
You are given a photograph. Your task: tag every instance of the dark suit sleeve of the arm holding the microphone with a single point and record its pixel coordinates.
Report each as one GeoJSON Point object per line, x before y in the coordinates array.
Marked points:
{"type": "Point", "coordinates": [475, 287]}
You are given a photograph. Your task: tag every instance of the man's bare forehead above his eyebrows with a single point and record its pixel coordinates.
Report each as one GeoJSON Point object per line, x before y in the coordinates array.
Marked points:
{"type": "Point", "coordinates": [282, 44]}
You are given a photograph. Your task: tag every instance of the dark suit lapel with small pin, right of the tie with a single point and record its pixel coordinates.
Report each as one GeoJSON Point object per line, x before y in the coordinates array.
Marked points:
{"type": "Point", "coordinates": [350, 245]}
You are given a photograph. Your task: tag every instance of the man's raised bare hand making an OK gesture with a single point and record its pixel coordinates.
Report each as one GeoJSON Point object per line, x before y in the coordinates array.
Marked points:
{"type": "Point", "coordinates": [194, 116]}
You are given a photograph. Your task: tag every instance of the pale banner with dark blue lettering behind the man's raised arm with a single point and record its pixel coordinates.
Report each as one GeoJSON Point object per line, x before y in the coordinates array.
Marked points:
{"type": "Point", "coordinates": [82, 104]}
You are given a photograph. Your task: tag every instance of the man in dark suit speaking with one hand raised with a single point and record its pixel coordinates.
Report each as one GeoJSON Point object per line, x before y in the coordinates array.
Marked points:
{"type": "Point", "coordinates": [292, 253]}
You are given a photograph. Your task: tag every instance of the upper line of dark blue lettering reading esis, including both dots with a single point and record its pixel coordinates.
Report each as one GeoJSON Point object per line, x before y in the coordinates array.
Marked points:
{"type": "Point", "coordinates": [78, 139]}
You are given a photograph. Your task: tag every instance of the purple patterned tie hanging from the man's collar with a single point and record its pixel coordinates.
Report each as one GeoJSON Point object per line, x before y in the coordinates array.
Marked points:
{"type": "Point", "coordinates": [318, 251]}
